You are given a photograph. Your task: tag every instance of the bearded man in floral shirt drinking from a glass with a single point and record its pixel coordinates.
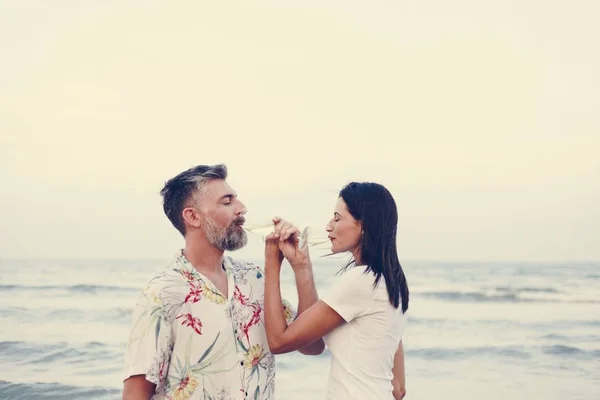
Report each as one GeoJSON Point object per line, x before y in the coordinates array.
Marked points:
{"type": "Point", "coordinates": [198, 327]}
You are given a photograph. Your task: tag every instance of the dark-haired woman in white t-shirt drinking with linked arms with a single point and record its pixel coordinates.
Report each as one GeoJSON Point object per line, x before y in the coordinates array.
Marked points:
{"type": "Point", "coordinates": [362, 317]}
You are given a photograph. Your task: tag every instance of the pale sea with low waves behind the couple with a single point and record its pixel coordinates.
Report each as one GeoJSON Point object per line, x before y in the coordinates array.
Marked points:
{"type": "Point", "coordinates": [476, 330]}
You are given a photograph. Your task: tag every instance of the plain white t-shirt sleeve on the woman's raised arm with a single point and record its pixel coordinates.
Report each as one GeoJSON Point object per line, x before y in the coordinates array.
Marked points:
{"type": "Point", "coordinates": [351, 294]}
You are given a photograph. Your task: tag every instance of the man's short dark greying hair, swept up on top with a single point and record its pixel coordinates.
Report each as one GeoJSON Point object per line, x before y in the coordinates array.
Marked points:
{"type": "Point", "coordinates": [179, 190]}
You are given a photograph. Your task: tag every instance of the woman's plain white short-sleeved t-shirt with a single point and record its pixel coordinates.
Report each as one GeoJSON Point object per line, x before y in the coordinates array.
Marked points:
{"type": "Point", "coordinates": [363, 348]}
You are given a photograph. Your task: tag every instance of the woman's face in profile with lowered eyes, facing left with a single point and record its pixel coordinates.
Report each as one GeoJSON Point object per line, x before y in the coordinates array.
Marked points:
{"type": "Point", "coordinates": [344, 231]}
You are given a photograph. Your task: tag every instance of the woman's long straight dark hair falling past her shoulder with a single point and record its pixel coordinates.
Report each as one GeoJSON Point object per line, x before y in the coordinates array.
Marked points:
{"type": "Point", "coordinates": [374, 207]}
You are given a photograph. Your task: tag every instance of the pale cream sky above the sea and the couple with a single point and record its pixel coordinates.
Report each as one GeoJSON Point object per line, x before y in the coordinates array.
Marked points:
{"type": "Point", "coordinates": [481, 117]}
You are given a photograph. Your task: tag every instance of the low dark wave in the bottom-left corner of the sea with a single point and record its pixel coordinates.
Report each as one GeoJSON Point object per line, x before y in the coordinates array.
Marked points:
{"type": "Point", "coordinates": [51, 391]}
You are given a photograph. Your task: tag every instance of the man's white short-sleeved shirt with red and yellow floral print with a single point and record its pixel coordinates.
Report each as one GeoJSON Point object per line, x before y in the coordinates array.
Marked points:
{"type": "Point", "coordinates": [195, 343]}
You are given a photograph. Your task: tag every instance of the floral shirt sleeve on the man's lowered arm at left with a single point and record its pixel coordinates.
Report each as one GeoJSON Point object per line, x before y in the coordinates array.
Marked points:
{"type": "Point", "coordinates": [148, 350]}
